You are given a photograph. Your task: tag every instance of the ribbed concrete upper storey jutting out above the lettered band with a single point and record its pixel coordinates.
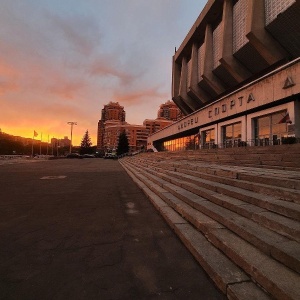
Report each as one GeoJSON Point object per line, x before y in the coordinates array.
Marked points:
{"type": "Point", "coordinates": [198, 80]}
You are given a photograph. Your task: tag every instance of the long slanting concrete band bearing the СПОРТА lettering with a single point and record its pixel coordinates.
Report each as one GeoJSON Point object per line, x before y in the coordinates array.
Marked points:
{"type": "Point", "coordinates": [269, 90]}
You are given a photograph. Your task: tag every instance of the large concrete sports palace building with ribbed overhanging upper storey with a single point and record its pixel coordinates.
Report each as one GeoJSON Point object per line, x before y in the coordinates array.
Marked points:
{"type": "Point", "coordinates": [236, 77]}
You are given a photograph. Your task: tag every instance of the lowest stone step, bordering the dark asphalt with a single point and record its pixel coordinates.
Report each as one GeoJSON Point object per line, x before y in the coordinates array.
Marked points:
{"type": "Point", "coordinates": [228, 277]}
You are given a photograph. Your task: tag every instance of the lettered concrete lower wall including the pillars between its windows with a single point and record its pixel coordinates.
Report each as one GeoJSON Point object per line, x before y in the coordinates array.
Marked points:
{"type": "Point", "coordinates": [278, 90]}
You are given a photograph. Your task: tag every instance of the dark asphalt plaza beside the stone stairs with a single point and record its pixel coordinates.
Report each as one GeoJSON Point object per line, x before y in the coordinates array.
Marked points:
{"type": "Point", "coordinates": [81, 229]}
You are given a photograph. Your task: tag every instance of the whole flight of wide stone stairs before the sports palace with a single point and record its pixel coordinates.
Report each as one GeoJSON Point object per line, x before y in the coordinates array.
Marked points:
{"type": "Point", "coordinates": [240, 218]}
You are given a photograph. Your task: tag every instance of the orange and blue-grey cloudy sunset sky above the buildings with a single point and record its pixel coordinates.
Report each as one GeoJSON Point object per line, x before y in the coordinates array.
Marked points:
{"type": "Point", "coordinates": [63, 60]}
